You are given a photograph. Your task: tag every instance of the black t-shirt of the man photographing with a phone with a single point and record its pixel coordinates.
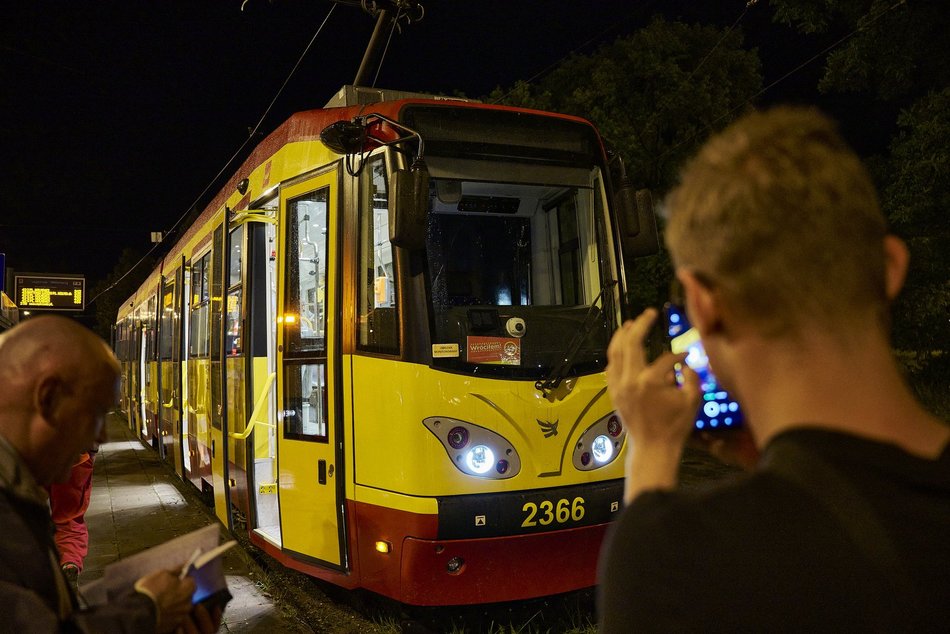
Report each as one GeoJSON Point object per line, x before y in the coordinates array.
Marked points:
{"type": "Point", "coordinates": [764, 554]}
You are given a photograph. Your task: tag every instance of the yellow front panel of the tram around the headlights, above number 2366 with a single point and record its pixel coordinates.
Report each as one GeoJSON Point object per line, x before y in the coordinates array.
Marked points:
{"type": "Point", "coordinates": [395, 453]}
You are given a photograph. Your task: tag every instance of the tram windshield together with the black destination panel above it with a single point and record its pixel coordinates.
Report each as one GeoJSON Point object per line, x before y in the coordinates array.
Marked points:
{"type": "Point", "coordinates": [517, 253]}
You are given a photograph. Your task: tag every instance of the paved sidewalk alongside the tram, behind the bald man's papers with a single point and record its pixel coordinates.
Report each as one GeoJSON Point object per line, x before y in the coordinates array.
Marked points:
{"type": "Point", "coordinates": [137, 503]}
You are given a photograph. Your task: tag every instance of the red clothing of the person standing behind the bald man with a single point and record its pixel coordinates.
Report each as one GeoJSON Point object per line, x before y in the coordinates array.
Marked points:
{"type": "Point", "coordinates": [68, 502]}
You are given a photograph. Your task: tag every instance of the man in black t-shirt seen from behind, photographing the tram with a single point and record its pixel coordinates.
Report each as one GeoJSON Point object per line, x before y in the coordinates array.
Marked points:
{"type": "Point", "coordinates": [788, 271]}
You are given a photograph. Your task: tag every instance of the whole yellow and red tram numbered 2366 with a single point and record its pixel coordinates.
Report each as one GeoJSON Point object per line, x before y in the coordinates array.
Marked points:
{"type": "Point", "coordinates": [380, 349]}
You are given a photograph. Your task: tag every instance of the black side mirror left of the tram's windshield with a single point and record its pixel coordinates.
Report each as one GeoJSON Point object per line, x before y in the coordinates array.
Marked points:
{"type": "Point", "coordinates": [409, 206]}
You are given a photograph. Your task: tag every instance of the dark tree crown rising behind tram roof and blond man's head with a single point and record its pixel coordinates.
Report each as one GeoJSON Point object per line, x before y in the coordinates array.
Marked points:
{"type": "Point", "coordinates": [655, 95]}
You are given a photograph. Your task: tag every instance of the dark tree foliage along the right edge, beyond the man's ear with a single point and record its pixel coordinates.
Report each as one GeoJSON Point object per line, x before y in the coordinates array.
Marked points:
{"type": "Point", "coordinates": [897, 55]}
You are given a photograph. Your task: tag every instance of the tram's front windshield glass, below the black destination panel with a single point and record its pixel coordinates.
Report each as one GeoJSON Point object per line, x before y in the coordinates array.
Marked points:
{"type": "Point", "coordinates": [517, 272]}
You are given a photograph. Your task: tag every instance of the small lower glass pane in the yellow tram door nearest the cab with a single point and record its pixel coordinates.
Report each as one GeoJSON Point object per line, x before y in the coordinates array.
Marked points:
{"type": "Point", "coordinates": [305, 417]}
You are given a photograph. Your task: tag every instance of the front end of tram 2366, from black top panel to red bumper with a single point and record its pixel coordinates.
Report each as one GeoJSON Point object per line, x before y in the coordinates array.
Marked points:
{"type": "Point", "coordinates": [486, 454]}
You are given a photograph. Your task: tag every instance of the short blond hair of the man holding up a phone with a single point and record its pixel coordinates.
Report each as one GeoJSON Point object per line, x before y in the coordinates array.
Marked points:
{"type": "Point", "coordinates": [778, 214]}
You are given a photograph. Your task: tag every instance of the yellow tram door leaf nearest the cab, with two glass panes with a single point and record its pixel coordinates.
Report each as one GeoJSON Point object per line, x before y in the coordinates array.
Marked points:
{"type": "Point", "coordinates": [310, 482]}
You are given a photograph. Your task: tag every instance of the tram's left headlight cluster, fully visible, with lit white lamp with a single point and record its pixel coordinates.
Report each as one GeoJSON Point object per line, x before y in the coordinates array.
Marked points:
{"type": "Point", "coordinates": [475, 450]}
